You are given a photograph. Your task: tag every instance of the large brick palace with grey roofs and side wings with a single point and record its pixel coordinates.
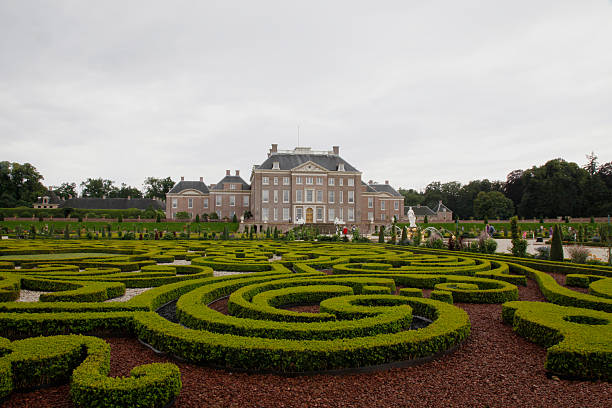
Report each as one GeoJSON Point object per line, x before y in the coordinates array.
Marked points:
{"type": "Point", "coordinates": [292, 187]}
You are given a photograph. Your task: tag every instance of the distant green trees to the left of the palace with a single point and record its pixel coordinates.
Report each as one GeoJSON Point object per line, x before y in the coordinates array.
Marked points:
{"type": "Point", "coordinates": [21, 185]}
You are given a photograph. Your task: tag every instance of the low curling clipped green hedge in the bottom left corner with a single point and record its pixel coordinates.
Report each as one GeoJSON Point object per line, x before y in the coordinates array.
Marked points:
{"type": "Point", "coordinates": [84, 361]}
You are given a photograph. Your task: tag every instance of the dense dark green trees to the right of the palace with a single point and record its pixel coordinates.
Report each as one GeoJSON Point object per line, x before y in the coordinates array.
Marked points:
{"type": "Point", "coordinates": [557, 188]}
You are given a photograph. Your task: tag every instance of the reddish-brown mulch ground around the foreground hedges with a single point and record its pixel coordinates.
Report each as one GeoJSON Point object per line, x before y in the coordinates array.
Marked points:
{"type": "Point", "coordinates": [493, 368]}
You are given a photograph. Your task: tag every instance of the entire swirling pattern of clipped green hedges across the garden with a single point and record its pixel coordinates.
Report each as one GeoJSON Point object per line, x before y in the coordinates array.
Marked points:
{"type": "Point", "coordinates": [368, 300]}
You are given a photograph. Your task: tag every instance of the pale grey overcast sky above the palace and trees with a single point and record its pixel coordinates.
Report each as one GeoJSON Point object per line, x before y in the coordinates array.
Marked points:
{"type": "Point", "coordinates": [411, 91]}
